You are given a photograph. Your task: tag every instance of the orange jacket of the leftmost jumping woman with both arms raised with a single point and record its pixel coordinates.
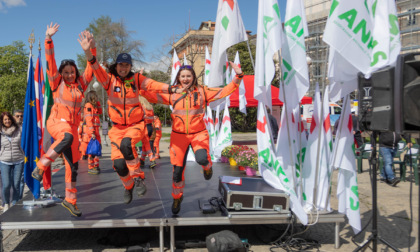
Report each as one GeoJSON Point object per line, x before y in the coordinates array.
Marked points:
{"type": "Point", "coordinates": [67, 97]}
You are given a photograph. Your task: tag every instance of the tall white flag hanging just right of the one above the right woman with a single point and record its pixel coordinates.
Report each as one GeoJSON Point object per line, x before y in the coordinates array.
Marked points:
{"type": "Point", "coordinates": [269, 36]}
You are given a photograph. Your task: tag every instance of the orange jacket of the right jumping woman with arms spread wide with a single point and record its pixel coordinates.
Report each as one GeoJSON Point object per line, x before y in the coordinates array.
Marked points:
{"type": "Point", "coordinates": [189, 109]}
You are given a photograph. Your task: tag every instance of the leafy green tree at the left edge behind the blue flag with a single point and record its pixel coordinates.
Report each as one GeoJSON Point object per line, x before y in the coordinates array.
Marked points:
{"type": "Point", "coordinates": [13, 76]}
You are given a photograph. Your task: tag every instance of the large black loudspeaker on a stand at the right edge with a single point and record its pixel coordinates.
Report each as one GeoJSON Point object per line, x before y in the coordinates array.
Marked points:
{"type": "Point", "coordinates": [390, 99]}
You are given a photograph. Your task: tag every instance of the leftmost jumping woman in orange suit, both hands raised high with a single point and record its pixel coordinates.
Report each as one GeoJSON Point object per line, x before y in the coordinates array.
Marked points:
{"type": "Point", "coordinates": [67, 87]}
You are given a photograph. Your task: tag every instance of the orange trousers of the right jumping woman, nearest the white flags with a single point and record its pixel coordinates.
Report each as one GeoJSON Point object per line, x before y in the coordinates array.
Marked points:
{"type": "Point", "coordinates": [178, 150]}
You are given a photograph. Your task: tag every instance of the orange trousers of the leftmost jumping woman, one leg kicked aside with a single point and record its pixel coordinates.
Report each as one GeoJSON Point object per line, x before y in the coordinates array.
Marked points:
{"type": "Point", "coordinates": [66, 141]}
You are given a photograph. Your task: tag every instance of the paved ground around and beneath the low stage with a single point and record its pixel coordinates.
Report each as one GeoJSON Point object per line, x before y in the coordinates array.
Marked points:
{"type": "Point", "coordinates": [398, 214]}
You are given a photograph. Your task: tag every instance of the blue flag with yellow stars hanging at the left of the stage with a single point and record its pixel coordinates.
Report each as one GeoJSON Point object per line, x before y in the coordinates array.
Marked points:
{"type": "Point", "coordinates": [30, 142]}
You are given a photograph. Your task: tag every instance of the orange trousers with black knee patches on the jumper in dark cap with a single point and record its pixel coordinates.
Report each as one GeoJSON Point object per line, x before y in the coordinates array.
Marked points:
{"type": "Point", "coordinates": [123, 152]}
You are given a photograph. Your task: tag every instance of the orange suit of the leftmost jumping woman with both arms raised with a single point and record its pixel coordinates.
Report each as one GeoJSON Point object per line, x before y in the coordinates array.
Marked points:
{"type": "Point", "coordinates": [64, 120]}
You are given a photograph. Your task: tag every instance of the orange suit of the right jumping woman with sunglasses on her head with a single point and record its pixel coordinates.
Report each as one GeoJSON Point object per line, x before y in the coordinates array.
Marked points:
{"type": "Point", "coordinates": [188, 128]}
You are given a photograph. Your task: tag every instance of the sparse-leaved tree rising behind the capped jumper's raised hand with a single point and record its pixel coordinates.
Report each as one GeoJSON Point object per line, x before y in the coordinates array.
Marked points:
{"type": "Point", "coordinates": [112, 38]}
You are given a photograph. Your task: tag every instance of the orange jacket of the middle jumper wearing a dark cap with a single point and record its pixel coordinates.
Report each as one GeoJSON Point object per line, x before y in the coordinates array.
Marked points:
{"type": "Point", "coordinates": [124, 107]}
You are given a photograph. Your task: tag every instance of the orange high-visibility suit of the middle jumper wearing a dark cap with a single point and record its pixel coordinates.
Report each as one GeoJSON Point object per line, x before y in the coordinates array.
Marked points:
{"type": "Point", "coordinates": [127, 116]}
